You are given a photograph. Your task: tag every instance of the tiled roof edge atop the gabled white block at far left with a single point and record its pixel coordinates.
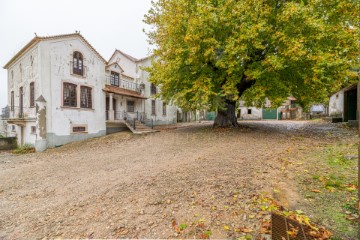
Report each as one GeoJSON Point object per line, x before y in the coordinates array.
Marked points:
{"type": "Point", "coordinates": [37, 39]}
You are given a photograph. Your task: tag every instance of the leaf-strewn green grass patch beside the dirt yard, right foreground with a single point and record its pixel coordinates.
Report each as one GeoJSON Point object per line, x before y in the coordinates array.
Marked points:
{"type": "Point", "coordinates": [331, 188]}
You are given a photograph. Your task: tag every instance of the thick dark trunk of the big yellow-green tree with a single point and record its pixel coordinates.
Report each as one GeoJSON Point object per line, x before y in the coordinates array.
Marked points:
{"type": "Point", "coordinates": [227, 116]}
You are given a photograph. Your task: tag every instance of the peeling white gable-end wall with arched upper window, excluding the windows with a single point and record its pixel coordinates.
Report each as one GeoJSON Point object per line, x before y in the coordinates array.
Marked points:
{"type": "Point", "coordinates": [56, 69]}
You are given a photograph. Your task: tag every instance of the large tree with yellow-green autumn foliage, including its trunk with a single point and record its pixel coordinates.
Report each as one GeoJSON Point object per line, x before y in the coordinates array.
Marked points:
{"type": "Point", "coordinates": [209, 53]}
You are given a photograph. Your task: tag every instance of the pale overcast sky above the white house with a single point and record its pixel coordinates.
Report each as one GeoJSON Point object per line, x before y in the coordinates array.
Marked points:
{"type": "Point", "coordinates": [106, 24]}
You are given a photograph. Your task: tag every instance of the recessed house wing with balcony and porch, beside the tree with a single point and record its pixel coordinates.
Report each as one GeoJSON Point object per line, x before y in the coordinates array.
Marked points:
{"type": "Point", "coordinates": [130, 97]}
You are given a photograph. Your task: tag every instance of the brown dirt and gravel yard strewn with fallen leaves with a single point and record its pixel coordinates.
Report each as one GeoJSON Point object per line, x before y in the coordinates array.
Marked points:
{"type": "Point", "coordinates": [196, 178]}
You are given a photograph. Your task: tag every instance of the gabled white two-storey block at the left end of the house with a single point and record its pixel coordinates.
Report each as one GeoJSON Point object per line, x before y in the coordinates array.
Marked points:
{"type": "Point", "coordinates": [55, 91]}
